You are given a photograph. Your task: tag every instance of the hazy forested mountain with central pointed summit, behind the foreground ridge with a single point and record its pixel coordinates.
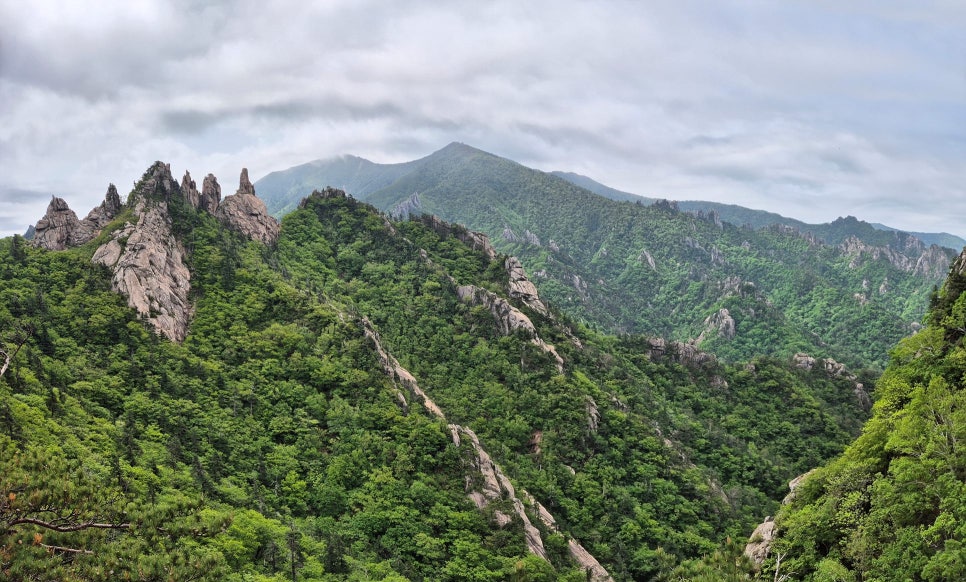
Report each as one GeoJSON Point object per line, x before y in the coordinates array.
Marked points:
{"type": "Point", "coordinates": [623, 267]}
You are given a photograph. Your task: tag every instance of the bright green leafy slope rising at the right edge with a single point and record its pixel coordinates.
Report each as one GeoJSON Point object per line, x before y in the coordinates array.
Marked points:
{"type": "Point", "coordinates": [893, 506]}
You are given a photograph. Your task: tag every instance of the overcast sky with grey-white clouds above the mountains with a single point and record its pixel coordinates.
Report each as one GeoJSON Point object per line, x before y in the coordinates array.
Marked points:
{"type": "Point", "coordinates": [809, 108]}
